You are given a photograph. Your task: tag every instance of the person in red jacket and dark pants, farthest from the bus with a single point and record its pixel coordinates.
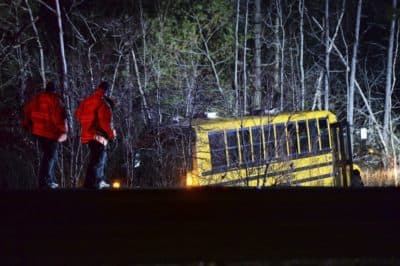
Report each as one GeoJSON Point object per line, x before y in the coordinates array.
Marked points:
{"type": "Point", "coordinates": [45, 118]}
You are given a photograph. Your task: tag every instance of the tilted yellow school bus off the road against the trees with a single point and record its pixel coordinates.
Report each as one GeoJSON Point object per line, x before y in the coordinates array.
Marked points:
{"type": "Point", "coordinates": [287, 149]}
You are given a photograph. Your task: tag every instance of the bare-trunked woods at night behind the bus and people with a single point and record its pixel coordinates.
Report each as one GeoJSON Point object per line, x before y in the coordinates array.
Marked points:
{"type": "Point", "coordinates": [174, 59]}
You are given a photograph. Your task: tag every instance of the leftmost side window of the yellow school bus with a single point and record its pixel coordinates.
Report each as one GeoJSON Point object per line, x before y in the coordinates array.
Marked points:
{"type": "Point", "coordinates": [217, 148]}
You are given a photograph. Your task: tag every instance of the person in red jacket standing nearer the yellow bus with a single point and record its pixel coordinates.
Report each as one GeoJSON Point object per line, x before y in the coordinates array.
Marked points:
{"type": "Point", "coordinates": [95, 116]}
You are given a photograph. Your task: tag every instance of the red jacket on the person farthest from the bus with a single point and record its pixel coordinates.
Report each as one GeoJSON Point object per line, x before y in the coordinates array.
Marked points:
{"type": "Point", "coordinates": [44, 116]}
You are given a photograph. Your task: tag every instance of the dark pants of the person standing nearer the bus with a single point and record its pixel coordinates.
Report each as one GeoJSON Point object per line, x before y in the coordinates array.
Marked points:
{"type": "Point", "coordinates": [97, 164]}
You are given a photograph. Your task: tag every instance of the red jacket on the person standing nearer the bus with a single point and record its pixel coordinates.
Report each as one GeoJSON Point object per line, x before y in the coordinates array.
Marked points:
{"type": "Point", "coordinates": [95, 116]}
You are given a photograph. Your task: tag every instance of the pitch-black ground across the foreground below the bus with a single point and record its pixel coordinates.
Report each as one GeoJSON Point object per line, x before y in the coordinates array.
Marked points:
{"type": "Point", "coordinates": [78, 227]}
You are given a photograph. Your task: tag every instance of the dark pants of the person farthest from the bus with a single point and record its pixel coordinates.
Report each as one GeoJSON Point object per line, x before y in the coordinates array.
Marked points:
{"type": "Point", "coordinates": [48, 163]}
